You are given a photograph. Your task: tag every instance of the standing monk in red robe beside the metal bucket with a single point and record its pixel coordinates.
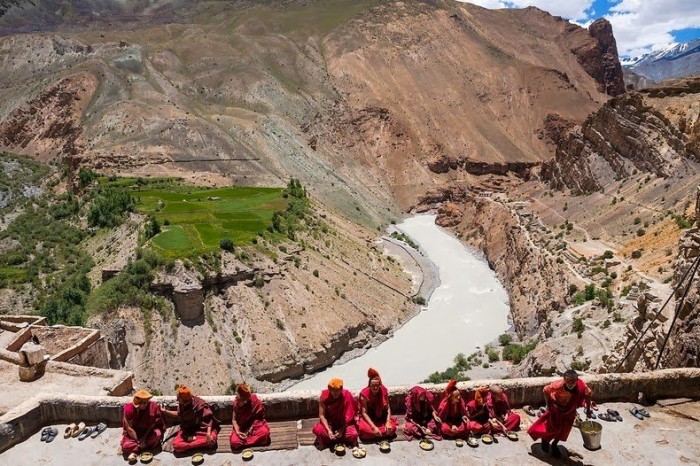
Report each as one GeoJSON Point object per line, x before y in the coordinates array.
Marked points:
{"type": "Point", "coordinates": [563, 397]}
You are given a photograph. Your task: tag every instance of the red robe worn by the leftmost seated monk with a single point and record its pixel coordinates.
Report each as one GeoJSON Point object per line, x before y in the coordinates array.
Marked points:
{"type": "Point", "coordinates": [147, 423]}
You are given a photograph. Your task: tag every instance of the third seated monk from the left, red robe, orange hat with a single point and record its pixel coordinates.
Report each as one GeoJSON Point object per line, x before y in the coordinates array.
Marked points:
{"type": "Point", "coordinates": [249, 426]}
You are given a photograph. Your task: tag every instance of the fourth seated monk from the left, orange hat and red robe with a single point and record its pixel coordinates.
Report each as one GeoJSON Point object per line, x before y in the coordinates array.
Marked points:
{"type": "Point", "coordinates": [336, 412]}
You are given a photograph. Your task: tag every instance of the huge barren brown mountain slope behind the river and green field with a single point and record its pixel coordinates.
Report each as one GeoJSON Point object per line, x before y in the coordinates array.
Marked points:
{"type": "Point", "coordinates": [340, 94]}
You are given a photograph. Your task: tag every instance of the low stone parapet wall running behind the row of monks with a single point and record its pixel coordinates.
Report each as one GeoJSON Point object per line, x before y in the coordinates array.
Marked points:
{"type": "Point", "coordinates": [43, 410]}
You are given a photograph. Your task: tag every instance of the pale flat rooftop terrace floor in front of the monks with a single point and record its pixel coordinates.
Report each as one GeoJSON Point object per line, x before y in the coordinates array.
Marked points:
{"type": "Point", "coordinates": [668, 437]}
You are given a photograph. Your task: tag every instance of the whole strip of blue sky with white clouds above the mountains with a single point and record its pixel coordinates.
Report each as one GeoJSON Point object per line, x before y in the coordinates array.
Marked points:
{"type": "Point", "coordinates": [639, 26]}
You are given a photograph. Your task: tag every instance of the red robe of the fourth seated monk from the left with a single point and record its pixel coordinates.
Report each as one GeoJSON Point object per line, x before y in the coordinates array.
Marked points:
{"type": "Point", "coordinates": [340, 414]}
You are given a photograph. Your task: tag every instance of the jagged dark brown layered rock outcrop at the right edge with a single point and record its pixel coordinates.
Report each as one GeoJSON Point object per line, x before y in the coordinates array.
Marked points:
{"type": "Point", "coordinates": [630, 132]}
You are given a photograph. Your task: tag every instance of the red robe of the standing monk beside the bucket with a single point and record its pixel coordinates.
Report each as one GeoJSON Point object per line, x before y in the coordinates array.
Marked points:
{"type": "Point", "coordinates": [556, 422]}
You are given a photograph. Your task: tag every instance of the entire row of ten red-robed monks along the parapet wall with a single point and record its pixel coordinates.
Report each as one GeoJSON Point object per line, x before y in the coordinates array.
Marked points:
{"type": "Point", "coordinates": [345, 419]}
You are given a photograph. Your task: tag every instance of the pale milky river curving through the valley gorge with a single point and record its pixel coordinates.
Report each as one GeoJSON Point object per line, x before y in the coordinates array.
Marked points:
{"type": "Point", "coordinates": [469, 308]}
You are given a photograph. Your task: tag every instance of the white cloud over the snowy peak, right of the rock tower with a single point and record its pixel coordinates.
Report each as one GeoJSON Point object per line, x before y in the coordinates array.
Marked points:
{"type": "Point", "coordinates": [641, 26]}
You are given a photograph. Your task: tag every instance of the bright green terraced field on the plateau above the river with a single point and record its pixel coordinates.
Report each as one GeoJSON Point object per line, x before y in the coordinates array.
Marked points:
{"type": "Point", "coordinates": [199, 218]}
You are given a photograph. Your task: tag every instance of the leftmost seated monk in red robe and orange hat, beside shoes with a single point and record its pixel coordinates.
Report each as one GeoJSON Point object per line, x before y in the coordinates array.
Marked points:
{"type": "Point", "coordinates": [143, 425]}
